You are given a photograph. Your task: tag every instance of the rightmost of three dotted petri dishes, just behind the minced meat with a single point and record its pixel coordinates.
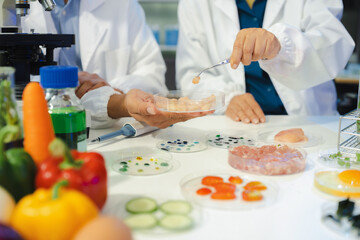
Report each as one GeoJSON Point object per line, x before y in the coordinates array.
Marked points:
{"type": "Point", "coordinates": [221, 140]}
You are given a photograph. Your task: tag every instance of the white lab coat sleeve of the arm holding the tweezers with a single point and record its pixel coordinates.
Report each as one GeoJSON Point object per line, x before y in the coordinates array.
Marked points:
{"type": "Point", "coordinates": [313, 54]}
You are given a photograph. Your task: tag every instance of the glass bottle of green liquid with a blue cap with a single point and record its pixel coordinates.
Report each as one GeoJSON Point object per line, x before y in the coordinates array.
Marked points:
{"type": "Point", "coordinates": [67, 114]}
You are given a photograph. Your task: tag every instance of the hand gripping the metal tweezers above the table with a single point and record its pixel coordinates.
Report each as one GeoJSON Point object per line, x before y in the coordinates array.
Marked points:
{"type": "Point", "coordinates": [253, 44]}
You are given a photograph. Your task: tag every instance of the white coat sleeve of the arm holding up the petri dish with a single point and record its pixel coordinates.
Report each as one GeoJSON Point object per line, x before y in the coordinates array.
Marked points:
{"type": "Point", "coordinates": [146, 68]}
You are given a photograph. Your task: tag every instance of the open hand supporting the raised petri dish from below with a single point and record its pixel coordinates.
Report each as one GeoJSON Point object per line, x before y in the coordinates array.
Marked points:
{"type": "Point", "coordinates": [140, 106]}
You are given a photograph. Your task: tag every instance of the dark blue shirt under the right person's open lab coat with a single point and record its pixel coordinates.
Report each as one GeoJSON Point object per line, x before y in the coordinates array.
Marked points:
{"type": "Point", "coordinates": [258, 82]}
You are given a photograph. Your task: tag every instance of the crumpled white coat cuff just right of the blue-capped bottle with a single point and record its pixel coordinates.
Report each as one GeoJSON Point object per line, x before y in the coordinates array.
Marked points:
{"type": "Point", "coordinates": [95, 102]}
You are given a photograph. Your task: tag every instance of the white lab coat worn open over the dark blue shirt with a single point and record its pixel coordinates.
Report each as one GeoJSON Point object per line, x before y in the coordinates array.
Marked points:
{"type": "Point", "coordinates": [315, 47]}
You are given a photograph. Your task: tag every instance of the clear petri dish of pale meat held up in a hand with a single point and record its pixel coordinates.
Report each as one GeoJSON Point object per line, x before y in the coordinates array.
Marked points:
{"type": "Point", "coordinates": [189, 101]}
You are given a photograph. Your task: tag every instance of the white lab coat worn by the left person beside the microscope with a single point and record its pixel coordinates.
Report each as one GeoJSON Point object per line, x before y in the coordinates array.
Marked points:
{"type": "Point", "coordinates": [116, 44]}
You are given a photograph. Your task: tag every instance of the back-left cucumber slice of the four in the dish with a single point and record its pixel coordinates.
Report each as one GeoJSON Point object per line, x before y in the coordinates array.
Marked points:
{"type": "Point", "coordinates": [141, 205]}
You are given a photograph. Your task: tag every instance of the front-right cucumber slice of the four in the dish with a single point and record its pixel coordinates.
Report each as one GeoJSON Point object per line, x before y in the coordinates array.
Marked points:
{"type": "Point", "coordinates": [176, 222]}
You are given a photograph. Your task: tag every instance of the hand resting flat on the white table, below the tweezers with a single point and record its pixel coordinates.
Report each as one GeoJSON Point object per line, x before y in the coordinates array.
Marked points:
{"type": "Point", "coordinates": [245, 108]}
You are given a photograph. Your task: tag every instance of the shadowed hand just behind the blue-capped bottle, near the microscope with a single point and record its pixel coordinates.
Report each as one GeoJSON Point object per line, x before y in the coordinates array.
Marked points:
{"type": "Point", "coordinates": [88, 82]}
